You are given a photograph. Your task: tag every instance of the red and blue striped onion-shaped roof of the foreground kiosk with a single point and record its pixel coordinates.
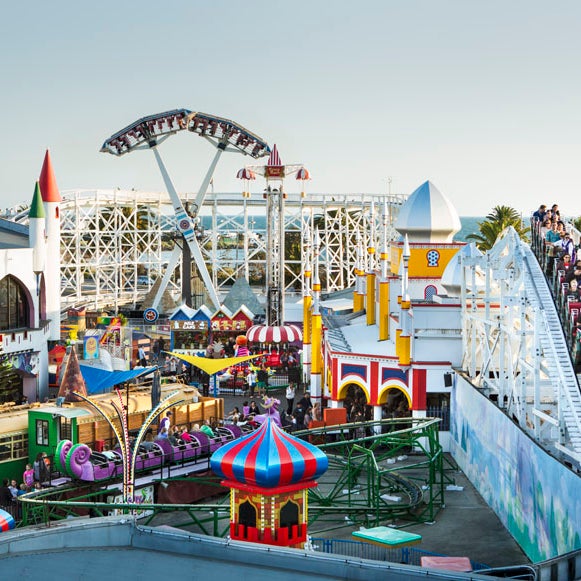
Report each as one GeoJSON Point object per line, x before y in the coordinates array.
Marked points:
{"type": "Point", "coordinates": [269, 458]}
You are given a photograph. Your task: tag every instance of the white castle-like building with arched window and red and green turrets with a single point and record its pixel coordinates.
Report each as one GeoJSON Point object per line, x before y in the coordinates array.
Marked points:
{"type": "Point", "coordinates": [30, 294]}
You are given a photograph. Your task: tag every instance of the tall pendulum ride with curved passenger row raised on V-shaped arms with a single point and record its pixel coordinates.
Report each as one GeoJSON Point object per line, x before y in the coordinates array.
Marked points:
{"type": "Point", "coordinates": [225, 135]}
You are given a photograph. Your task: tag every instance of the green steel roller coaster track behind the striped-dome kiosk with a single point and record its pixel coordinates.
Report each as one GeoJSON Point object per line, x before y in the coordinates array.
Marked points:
{"type": "Point", "coordinates": [380, 472]}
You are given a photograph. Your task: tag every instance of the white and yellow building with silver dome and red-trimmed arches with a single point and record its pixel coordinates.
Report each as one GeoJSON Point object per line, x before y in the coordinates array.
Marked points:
{"type": "Point", "coordinates": [393, 355]}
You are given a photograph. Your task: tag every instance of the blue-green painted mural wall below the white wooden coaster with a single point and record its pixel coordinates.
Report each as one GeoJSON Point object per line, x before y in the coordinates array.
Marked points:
{"type": "Point", "coordinates": [537, 499]}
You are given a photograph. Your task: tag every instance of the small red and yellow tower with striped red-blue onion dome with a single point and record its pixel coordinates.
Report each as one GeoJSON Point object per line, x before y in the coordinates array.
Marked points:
{"type": "Point", "coordinates": [269, 473]}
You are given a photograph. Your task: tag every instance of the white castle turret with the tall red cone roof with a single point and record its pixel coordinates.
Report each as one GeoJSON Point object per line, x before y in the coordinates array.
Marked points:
{"type": "Point", "coordinates": [52, 199]}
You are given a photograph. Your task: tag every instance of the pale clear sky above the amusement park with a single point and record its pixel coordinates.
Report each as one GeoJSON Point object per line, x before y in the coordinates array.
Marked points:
{"type": "Point", "coordinates": [480, 97]}
